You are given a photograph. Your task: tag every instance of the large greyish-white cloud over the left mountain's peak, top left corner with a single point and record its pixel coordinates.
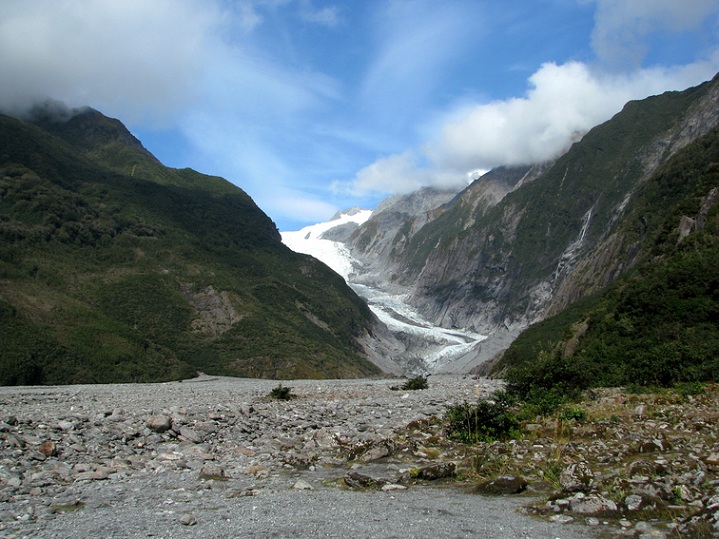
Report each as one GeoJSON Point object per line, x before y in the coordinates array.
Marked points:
{"type": "Point", "coordinates": [139, 58]}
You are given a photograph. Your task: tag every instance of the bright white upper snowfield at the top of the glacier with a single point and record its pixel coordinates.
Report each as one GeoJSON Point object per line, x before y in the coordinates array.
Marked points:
{"type": "Point", "coordinates": [309, 241]}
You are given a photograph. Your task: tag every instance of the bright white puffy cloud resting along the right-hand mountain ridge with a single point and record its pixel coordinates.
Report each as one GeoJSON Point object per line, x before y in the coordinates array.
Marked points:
{"type": "Point", "coordinates": [564, 102]}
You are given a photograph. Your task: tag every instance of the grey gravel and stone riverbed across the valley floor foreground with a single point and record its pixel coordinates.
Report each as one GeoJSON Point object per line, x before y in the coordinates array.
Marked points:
{"type": "Point", "coordinates": [215, 457]}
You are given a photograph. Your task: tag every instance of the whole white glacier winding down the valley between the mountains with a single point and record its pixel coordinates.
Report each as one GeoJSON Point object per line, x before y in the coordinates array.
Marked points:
{"type": "Point", "coordinates": [434, 348]}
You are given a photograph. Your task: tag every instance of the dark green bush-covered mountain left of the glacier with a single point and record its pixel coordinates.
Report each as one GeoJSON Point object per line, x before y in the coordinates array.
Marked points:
{"type": "Point", "coordinates": [115, 268]}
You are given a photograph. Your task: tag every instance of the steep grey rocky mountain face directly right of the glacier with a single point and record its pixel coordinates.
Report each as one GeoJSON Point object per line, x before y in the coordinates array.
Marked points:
{"type": "Point", "coordinates": [520, 244]}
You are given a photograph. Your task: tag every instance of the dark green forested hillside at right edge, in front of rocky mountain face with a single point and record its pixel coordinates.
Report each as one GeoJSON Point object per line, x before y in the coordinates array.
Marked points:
{"type": "Point", "coordinates": [658, 325]}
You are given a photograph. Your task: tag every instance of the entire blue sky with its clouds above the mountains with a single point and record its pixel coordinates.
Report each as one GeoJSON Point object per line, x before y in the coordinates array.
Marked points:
{"type": "Point", "coordinates": [314, 106]}
